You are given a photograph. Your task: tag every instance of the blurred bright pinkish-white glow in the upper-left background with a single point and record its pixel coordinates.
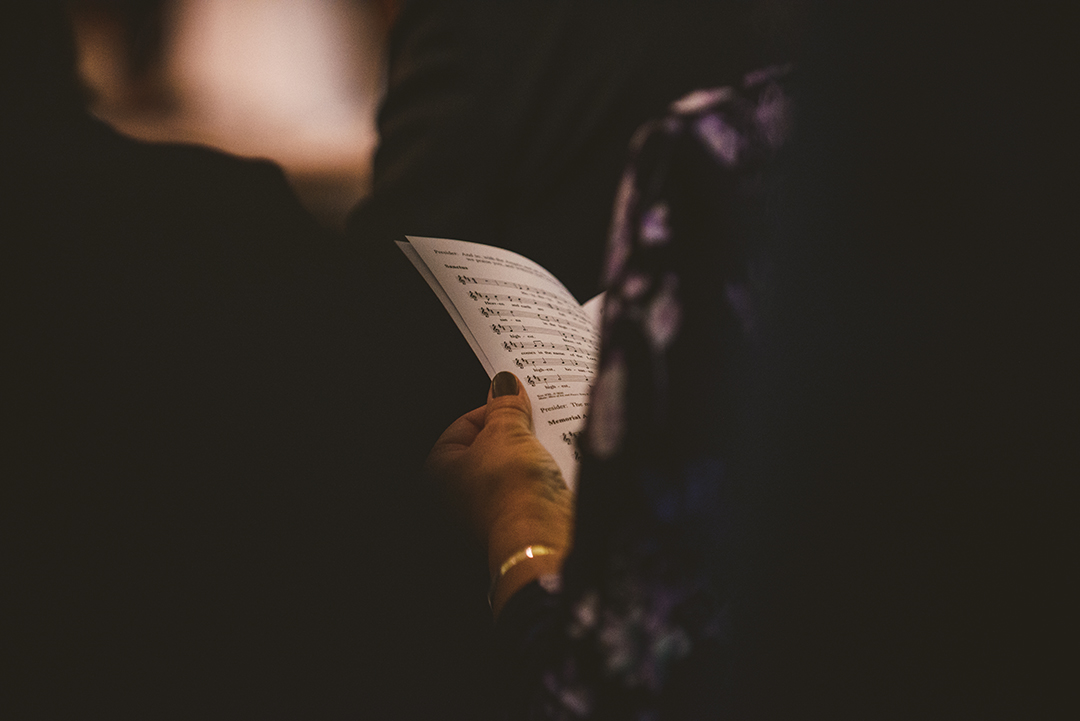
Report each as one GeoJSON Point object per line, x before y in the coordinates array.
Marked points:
{"type": "Point", "coordinates": [286, 79]}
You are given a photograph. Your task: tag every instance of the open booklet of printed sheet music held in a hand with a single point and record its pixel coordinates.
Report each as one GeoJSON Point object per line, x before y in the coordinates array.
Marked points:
{"type": "Point", "coordinates": [518, 317]}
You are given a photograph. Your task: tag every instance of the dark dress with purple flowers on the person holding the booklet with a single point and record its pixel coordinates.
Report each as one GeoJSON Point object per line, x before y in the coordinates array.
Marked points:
{"type": "Point", "coordinates": [639, 627]}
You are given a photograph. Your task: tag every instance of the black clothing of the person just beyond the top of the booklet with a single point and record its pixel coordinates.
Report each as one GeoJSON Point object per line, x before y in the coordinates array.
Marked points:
{"type": "Point", "coordinates": [508, 124]}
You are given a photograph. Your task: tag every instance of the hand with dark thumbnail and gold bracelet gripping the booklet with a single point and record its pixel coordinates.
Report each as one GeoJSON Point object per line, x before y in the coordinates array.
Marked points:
{"type": "Point", "coordinates": [505, 485]}
